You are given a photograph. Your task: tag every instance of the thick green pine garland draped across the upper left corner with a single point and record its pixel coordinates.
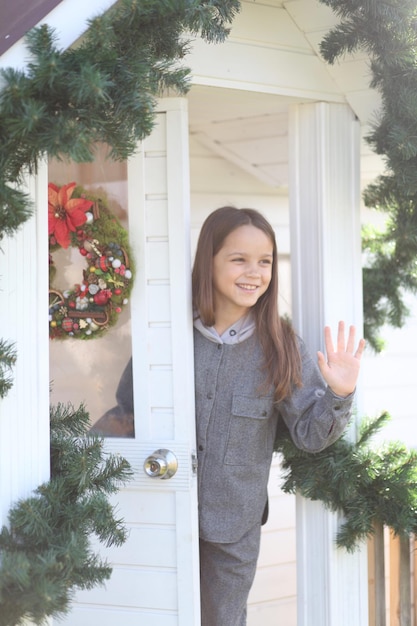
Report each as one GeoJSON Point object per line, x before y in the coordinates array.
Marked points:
{"type": "Point", "coordinates": [103, 90]}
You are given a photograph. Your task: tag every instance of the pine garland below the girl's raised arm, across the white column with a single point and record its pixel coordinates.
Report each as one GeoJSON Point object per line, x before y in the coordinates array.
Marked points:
{"type": "Point", "coordinates": [366, 486]}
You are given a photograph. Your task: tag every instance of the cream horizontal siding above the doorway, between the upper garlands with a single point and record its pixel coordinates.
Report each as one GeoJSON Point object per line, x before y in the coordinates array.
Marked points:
{"type": "Point", "coordinates": [267, 52]}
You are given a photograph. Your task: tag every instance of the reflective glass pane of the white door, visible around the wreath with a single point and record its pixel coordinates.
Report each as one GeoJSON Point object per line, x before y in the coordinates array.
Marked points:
{"type": "Point", "coordinates": [96, 372]}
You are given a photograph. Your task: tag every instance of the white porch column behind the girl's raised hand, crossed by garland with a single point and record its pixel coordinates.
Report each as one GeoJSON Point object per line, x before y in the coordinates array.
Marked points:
{"type": "Point", "coordinates": [327, 287]}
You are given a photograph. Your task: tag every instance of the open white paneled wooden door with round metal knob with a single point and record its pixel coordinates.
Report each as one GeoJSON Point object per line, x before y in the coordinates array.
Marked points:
{"type": "Point", "coordinates": [155, 573]}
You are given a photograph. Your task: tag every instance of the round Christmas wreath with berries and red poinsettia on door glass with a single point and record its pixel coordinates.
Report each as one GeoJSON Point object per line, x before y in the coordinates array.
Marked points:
{"type": "Point", "coordinates": [82, 220]}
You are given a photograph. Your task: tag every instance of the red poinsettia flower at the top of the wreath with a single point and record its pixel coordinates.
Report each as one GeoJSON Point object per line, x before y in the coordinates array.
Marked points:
{"type": "Point", "coordinates": [65, 213]}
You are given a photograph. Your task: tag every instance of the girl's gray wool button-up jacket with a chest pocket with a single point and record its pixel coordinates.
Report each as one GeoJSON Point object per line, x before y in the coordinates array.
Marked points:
{"type": "Point", "coordinates": [236, 429]}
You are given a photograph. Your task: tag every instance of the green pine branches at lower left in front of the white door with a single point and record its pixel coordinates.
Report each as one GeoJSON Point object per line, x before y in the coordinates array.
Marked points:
{"type": "Point", "coordinates": [45, 551]}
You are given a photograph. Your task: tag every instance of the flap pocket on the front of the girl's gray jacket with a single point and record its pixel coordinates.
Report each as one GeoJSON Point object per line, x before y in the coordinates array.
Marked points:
{"type": "Point", "coordinates": [248, 431]}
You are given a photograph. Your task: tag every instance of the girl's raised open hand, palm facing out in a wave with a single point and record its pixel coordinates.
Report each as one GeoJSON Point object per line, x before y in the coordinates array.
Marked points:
{"type": "Point", "coordinates": [341, 369]}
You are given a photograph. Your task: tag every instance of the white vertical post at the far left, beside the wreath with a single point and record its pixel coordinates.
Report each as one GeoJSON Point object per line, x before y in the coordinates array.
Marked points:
{"type": "Point", "coordinates": [24, 412]}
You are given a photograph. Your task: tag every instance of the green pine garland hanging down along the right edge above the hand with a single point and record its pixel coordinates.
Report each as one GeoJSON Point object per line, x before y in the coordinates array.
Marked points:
{"type": "Point", "coordinates": [386, 31]}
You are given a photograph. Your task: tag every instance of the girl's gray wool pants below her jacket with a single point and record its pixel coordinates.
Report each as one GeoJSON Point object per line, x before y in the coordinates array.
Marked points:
{"type": "Point", "coordinates": [227, 571]}
